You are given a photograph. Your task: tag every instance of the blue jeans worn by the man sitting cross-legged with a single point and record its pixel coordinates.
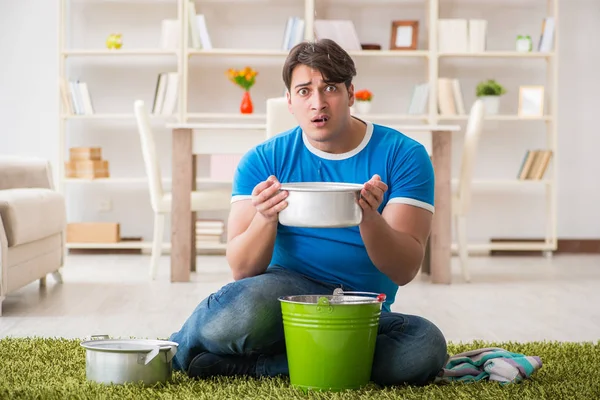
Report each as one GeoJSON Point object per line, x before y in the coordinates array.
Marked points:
{"type": "Point", "coordinates": [244, 318]}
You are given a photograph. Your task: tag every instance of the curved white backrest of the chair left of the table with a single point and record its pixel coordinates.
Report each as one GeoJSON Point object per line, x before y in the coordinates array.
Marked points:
{"type": "Point", "coordinates": [149, 153]}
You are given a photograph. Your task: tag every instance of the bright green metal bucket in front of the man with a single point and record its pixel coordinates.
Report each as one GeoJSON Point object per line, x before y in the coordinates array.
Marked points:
{"type": "Point", "coordinates": [330, 339]}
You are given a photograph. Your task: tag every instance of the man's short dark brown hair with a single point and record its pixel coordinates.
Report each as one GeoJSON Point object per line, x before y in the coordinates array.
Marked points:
{"type": "Point", "coordinates": [324, 55]}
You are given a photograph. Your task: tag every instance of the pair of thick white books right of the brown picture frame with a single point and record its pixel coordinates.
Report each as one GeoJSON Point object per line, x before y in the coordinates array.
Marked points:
{"type": "Point", "coordinates": [462, 35]}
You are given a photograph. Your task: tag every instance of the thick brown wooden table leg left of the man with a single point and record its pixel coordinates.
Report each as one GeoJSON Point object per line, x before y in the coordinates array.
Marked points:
{"type": "Point", "coordinates": [181, 221]}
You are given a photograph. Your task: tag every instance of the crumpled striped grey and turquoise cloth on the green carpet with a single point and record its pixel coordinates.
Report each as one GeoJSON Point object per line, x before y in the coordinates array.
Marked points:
{"type": "Point", "coordinates": [492, 363]}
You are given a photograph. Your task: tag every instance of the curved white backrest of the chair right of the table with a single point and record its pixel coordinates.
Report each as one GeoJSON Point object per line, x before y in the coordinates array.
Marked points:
{"type": "Point", "coordinates": [472, 134]}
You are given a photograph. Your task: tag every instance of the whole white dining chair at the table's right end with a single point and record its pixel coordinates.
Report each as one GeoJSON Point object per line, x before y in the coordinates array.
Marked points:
{"type": "Point", "coordinates": [462, 196]}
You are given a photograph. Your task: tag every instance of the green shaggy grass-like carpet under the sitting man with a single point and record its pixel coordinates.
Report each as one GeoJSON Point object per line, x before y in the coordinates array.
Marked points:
{"type": "Point", "coordinates": [39, 368]}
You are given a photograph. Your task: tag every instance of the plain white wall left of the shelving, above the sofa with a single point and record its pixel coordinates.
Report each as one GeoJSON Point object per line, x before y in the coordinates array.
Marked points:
{"type": "Point", "coordinates": [28, 106]}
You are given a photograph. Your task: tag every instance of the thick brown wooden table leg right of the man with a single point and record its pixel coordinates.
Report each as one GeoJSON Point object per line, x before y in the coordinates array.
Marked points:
{"type": "Point", "coordinates": [441, 232]}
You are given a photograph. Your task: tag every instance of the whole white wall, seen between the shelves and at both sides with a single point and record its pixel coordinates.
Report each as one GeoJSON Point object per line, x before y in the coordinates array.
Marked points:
{"type": "Point", "coordinates": [29, 101]}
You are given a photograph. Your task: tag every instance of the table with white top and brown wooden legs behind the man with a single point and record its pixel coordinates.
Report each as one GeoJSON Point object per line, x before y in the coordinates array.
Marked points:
{"type": "Point", "coordinates": [191, 139]}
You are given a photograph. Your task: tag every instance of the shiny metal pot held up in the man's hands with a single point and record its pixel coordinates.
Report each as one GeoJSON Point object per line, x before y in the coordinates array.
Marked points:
{"type": "Point", "coordinates": [321, 205]}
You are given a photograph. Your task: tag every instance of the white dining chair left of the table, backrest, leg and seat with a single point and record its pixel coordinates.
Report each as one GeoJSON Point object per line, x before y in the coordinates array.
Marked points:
{"type": "Point", "coordinates": [206, 200]}
